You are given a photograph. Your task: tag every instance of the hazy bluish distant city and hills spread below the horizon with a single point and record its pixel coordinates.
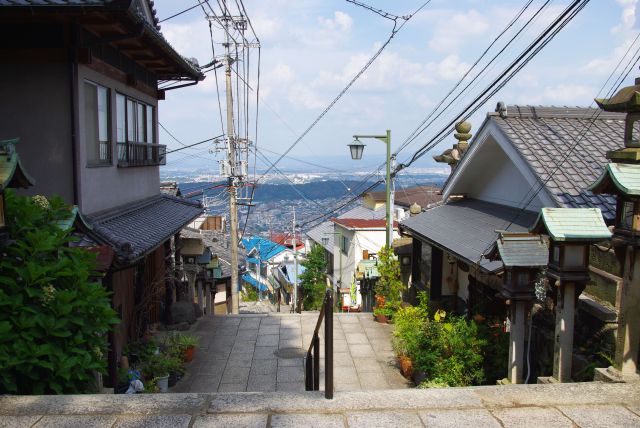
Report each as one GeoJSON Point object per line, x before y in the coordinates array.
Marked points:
{"type": "Point", "coordinates": [272, 202]}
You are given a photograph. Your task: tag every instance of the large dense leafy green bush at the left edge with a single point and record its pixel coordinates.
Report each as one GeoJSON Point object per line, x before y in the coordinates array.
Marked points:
{"type": "Point", "coordinates": [54, 318]}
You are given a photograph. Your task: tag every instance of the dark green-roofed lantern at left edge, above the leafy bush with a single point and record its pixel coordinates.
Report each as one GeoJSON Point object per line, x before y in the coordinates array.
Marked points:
{"type": "Point", "coordinates": [12, 174]}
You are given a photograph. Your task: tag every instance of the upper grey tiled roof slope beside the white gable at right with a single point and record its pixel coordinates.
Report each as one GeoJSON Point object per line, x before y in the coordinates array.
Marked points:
{"type": "Point", "coordinates": [544, 136]}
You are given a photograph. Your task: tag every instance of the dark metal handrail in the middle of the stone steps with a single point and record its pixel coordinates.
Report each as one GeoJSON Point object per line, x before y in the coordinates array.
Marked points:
{"type": "Point", "coordinates": [312, 361]}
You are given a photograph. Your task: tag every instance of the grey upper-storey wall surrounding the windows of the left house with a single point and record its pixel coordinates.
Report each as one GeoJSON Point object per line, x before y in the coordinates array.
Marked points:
{"type": "Point", "coordinates": [105, 187]}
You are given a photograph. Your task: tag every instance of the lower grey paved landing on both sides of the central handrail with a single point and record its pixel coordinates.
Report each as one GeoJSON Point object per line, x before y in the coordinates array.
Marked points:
{"type": "Point", "coordinates": [264, 352]}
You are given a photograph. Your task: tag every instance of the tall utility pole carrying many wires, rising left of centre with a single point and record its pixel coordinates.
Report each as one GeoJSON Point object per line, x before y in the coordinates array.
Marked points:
{"type": "Point", "coordinates": [233, 208]}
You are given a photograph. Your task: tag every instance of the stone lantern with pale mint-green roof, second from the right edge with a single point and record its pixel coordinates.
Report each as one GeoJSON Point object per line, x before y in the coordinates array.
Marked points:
{"type": "Point", "coordinates": [572, 231]}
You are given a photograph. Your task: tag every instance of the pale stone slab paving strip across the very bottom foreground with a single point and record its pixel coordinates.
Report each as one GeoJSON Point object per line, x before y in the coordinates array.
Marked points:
{"type": "Point", "coordinates": [537, 406]}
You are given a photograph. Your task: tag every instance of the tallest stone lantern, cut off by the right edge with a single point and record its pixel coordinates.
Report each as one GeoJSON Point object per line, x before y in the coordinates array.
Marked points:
{"type": "Point", "coordinates": [621, 179]}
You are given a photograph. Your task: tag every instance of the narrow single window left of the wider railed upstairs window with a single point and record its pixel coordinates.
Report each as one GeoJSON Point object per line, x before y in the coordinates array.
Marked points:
{"type": "Point", "coordinates": [96, 103]}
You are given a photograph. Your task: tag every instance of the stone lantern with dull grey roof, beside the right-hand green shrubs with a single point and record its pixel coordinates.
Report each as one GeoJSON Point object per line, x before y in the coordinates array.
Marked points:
{"type": "Point", "coordinates": [523, 256]}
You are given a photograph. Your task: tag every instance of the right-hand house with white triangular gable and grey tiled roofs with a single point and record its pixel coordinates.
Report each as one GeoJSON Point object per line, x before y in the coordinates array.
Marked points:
{"type": "Point", "coordinates": [521, 160]}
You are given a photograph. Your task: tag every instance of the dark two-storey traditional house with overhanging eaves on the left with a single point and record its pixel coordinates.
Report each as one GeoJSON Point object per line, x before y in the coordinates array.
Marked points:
{"type": "Point", "coordinates": [80, 83]}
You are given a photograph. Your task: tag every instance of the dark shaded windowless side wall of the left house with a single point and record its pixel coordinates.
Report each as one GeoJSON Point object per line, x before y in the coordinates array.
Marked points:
{"type": "Point", "coordinates": [35, 107]}
